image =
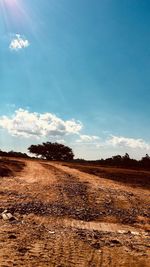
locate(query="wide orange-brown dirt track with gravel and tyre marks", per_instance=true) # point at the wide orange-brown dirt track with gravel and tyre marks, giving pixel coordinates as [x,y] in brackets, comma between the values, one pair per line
[68,218]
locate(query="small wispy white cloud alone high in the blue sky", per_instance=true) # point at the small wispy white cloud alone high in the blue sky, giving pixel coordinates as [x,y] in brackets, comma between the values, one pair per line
[18,42]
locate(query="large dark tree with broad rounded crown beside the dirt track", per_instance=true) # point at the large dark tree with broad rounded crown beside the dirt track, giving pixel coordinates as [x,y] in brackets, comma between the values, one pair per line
[52,151]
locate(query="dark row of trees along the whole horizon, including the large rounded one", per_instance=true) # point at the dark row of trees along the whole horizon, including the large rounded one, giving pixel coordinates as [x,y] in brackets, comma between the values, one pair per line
[60,152]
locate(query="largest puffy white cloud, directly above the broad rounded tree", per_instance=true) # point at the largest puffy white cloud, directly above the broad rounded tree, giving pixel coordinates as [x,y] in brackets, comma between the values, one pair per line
[27,124]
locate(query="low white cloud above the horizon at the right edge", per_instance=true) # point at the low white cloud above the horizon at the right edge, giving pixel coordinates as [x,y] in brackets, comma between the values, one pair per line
[128,142]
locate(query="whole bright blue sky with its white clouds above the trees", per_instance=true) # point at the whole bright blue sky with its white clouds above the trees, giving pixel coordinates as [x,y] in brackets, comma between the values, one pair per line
[76,72]
